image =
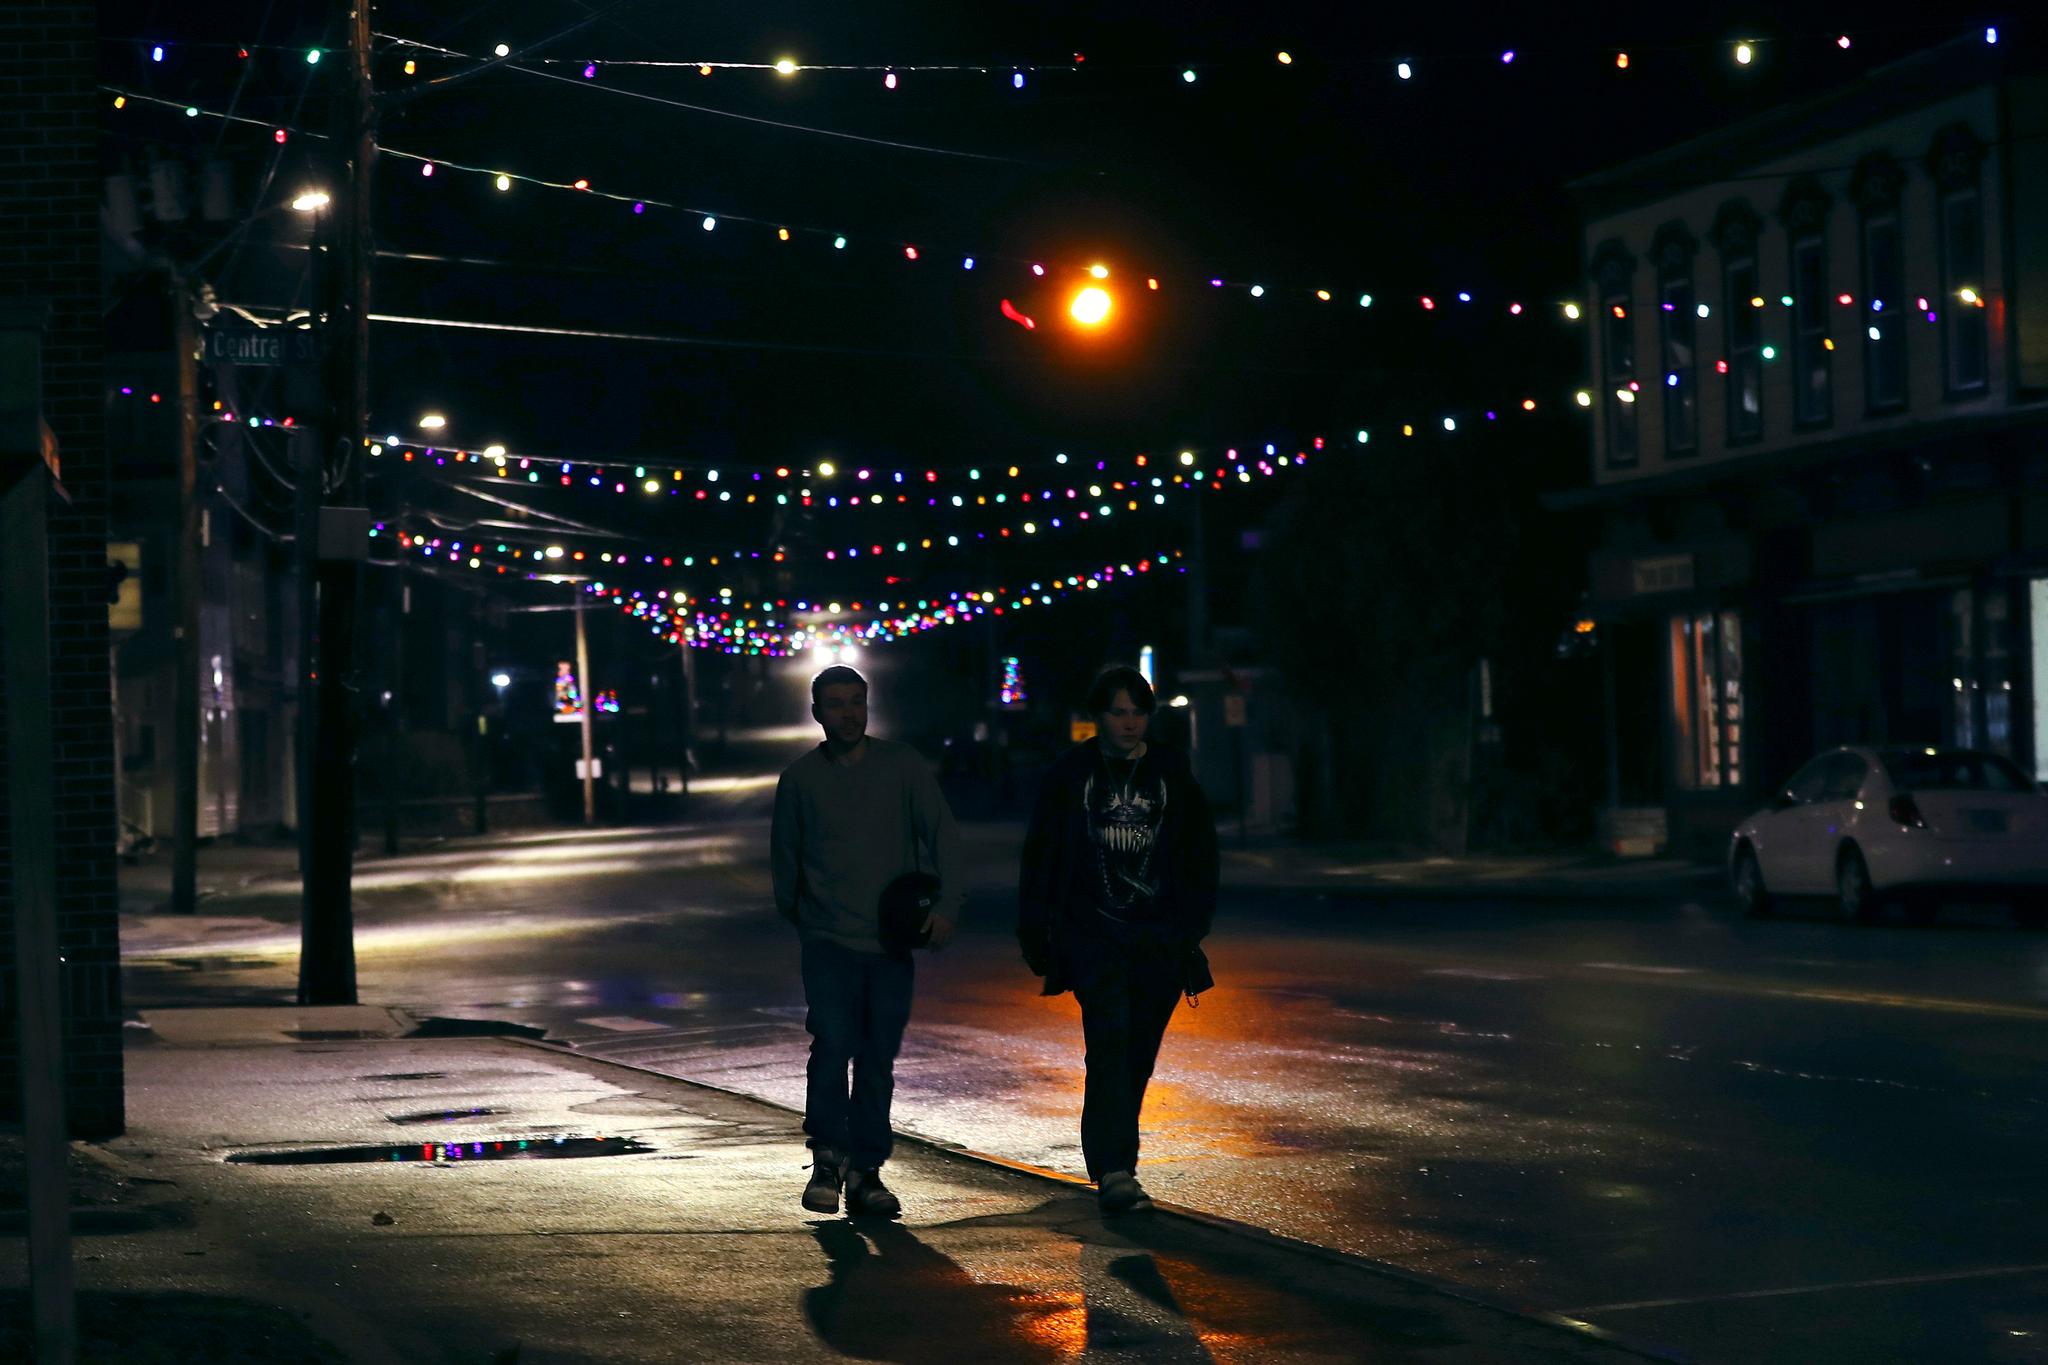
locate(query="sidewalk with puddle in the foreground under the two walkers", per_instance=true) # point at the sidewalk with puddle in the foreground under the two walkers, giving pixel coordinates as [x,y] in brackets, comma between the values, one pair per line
[679,1239]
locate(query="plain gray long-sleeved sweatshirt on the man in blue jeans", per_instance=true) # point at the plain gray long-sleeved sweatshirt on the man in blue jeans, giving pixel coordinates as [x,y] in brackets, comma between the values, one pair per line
[843,832]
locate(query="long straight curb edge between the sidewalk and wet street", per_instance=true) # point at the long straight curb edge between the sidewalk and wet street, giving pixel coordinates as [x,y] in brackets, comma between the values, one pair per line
[1478,1298]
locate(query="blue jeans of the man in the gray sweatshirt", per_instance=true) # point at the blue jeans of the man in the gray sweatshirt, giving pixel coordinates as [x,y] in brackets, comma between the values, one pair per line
[859,1008]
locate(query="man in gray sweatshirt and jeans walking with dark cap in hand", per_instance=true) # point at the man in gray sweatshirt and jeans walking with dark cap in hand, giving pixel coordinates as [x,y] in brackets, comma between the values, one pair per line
[851,818]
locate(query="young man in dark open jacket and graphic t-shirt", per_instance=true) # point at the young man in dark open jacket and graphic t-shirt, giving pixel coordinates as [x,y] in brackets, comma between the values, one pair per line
[1117,893]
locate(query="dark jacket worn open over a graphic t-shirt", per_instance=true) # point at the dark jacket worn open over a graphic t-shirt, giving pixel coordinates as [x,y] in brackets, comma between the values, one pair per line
[1054,893]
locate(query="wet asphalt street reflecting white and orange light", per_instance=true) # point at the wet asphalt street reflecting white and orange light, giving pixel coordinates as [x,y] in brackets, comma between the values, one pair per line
[1789,1141]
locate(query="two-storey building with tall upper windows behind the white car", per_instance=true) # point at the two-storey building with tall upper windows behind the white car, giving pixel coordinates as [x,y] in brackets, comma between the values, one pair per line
[1820,343]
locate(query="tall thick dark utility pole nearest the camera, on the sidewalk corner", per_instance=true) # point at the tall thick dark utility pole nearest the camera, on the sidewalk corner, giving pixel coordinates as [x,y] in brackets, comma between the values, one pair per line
[327,924]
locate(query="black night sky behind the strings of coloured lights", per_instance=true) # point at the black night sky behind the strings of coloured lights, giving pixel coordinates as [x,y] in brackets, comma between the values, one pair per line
[1322,173]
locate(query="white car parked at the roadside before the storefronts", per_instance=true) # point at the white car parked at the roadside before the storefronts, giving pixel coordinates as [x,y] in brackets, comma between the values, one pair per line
[1914,826]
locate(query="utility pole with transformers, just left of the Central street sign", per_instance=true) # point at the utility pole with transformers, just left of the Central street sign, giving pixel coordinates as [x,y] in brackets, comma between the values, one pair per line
[185,613]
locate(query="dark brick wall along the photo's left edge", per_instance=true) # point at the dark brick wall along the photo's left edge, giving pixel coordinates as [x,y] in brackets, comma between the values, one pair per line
[50,249]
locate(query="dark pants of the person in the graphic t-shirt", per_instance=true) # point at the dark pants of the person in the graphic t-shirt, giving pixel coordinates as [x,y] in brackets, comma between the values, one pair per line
[1127,981]
